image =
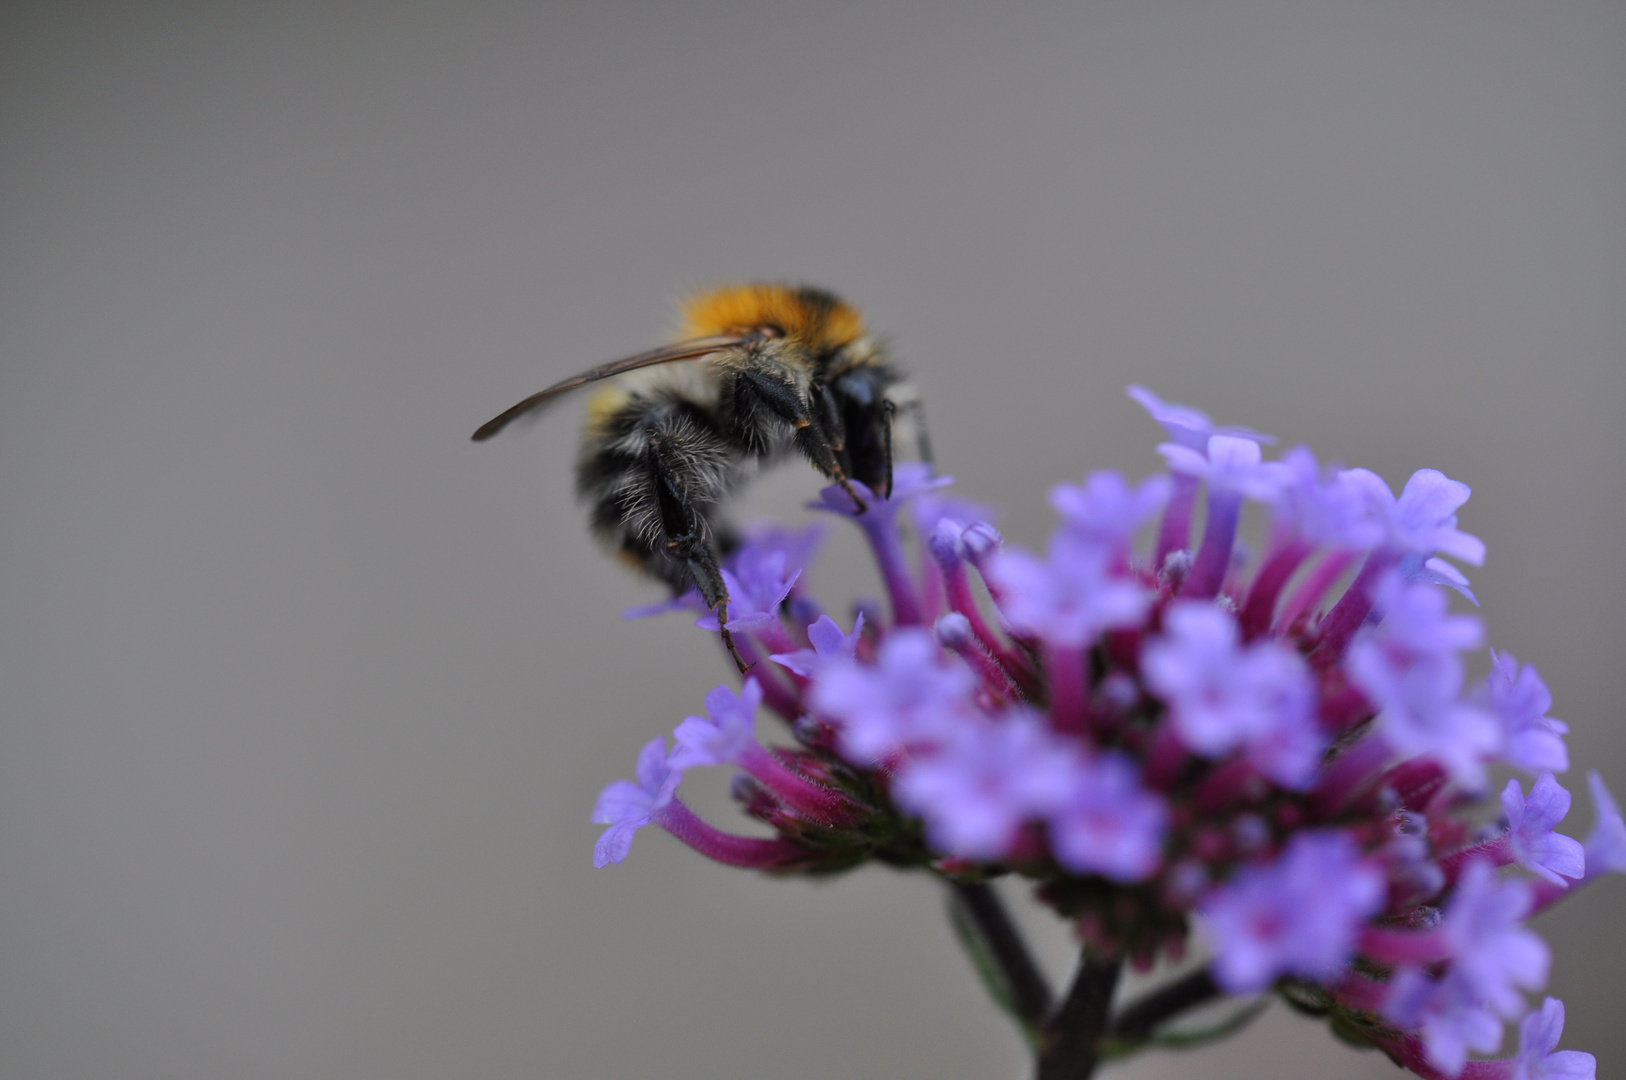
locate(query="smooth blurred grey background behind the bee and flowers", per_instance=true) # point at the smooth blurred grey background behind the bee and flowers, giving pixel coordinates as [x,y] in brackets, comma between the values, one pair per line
[307,699]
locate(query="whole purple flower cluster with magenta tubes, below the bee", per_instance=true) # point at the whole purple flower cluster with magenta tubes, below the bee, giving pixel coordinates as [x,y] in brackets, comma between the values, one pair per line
[1282,757]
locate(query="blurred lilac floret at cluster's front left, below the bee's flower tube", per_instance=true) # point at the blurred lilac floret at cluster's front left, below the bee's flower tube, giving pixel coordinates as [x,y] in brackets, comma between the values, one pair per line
[910,697]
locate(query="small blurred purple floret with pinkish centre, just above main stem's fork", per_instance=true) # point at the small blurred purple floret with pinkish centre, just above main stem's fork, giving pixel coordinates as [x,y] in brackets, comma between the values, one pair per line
[1110,824]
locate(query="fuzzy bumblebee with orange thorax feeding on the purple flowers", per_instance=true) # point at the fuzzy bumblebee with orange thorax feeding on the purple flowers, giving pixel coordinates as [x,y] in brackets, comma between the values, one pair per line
[760,373]
